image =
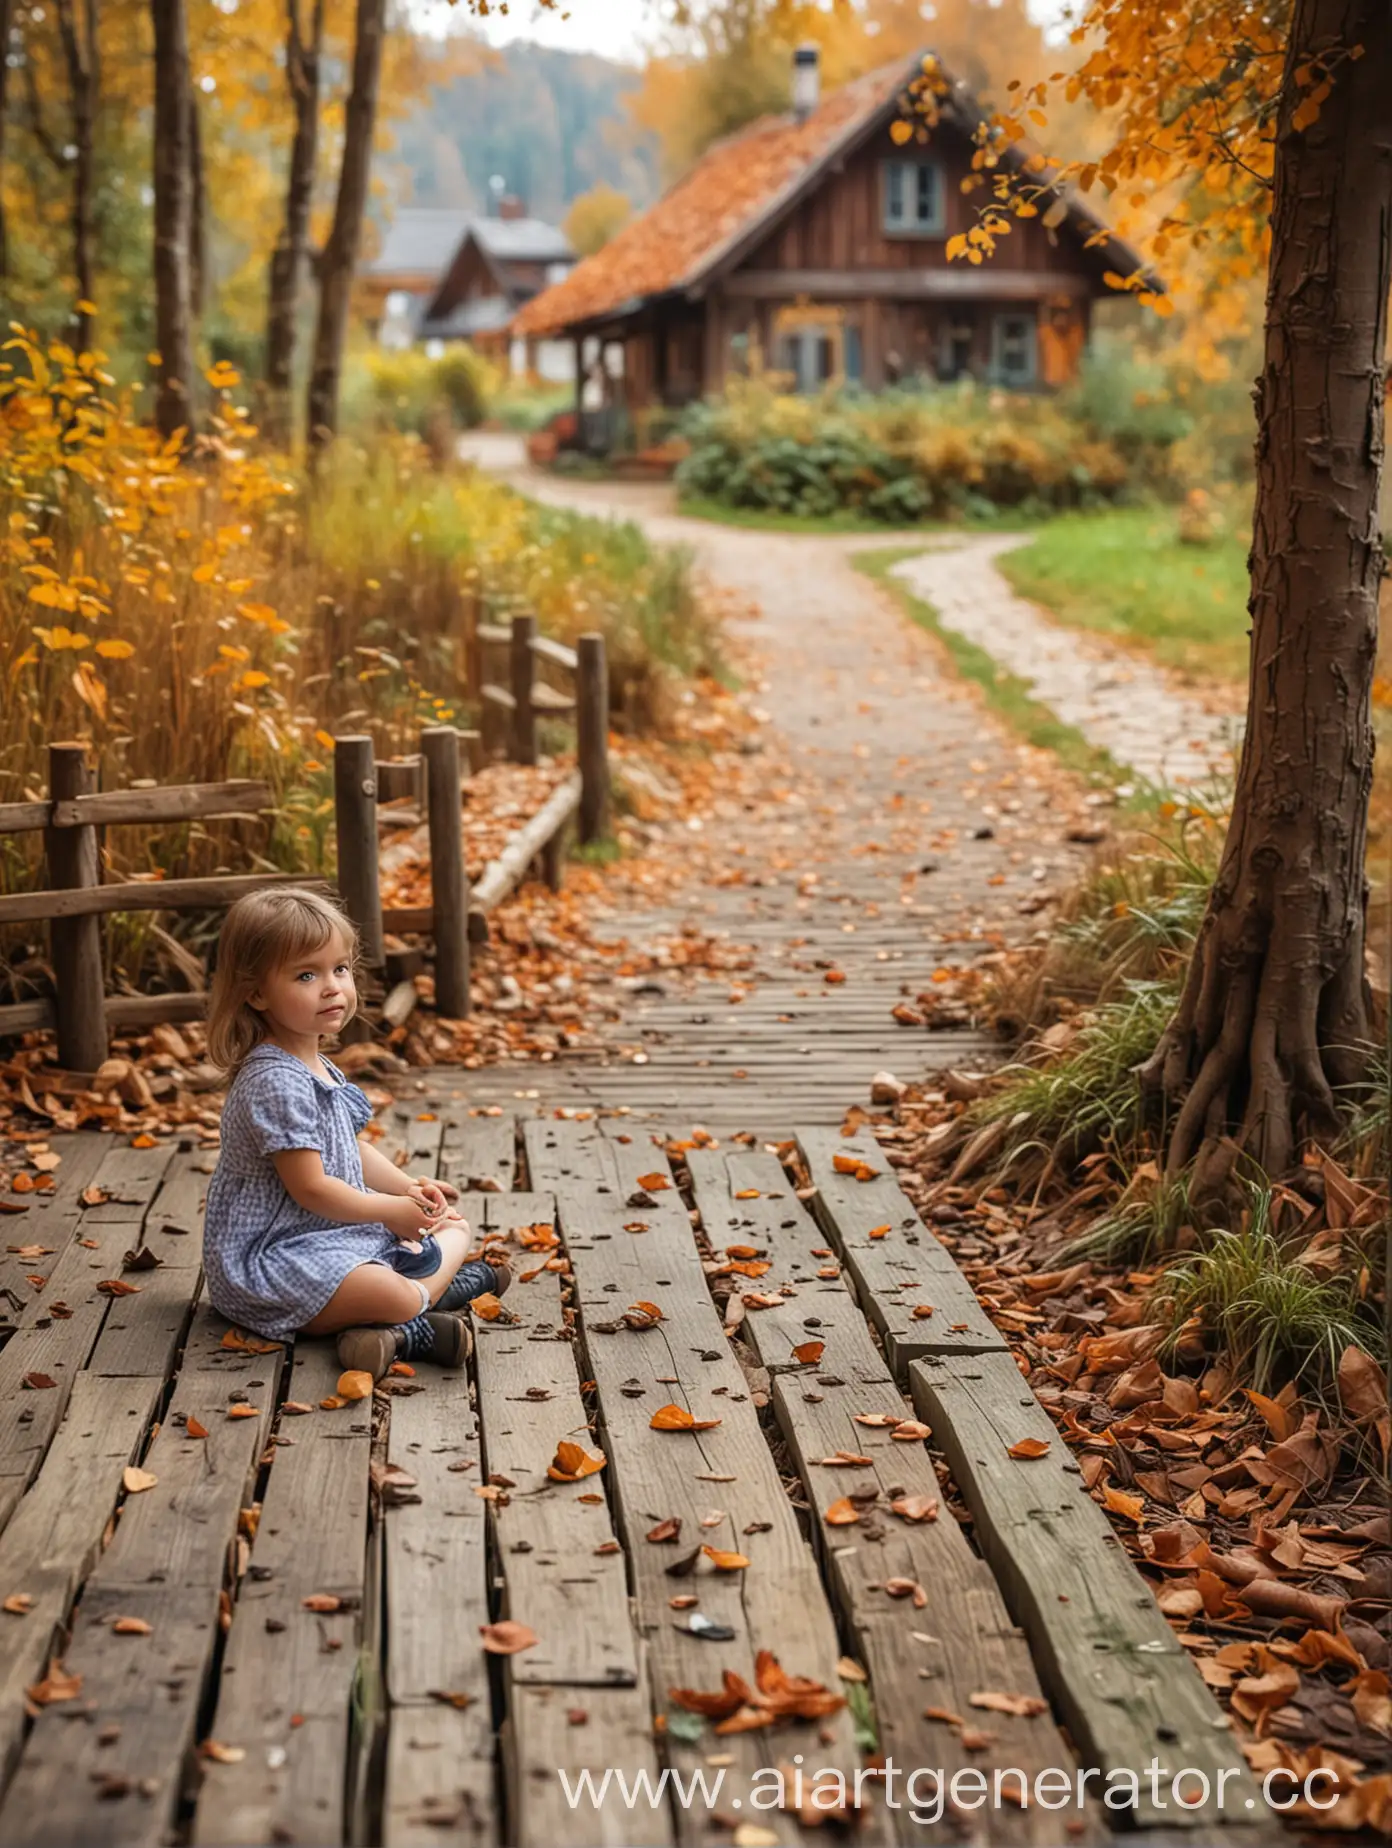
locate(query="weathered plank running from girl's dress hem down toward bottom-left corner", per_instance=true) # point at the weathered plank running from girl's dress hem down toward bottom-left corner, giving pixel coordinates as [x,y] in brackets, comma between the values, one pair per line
[121,1779]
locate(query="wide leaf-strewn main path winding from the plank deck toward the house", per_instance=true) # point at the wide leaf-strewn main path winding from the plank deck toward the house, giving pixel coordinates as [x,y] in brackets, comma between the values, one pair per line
[888,833]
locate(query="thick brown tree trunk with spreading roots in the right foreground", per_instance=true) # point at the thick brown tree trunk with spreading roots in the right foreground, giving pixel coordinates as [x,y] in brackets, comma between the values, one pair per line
[1275,1015]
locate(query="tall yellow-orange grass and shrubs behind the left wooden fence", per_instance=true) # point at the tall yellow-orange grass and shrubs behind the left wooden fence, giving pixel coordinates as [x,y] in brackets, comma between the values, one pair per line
[206,616]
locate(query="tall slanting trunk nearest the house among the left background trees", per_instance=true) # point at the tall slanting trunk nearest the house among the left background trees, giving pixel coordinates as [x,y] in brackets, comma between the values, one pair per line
[341,252]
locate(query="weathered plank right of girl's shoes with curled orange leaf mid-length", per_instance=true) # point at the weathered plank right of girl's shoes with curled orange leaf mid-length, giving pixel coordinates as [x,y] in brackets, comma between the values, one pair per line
[550,1537]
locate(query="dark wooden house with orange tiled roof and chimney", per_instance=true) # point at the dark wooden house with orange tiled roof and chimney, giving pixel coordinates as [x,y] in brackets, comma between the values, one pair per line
[816,243]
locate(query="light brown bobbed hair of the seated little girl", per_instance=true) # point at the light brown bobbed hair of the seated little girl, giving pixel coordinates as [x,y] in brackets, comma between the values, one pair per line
[262,934]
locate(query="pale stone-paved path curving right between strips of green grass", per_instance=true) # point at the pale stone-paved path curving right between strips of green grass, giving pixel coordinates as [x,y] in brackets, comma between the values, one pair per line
[1119,701]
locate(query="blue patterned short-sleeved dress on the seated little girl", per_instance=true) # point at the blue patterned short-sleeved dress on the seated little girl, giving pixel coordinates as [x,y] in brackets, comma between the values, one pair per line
[269,1263]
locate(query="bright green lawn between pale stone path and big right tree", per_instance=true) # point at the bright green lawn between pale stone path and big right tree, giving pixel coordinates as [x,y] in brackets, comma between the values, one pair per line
[1127,574]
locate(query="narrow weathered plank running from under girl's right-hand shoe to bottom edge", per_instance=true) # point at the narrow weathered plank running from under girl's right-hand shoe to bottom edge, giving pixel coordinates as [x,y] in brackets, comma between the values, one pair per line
[439,1768]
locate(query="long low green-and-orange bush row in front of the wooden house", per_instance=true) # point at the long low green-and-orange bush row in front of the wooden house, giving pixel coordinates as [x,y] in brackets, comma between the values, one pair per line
[909,456]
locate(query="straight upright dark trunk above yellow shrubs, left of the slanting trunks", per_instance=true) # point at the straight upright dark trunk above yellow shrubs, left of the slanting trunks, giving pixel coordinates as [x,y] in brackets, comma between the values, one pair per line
[175,407]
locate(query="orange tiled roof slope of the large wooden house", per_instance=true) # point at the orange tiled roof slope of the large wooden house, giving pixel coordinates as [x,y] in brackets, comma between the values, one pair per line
[727,191]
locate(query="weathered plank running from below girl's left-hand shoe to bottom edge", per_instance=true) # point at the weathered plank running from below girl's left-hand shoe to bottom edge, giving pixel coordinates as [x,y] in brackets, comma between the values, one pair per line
[287,1673]
